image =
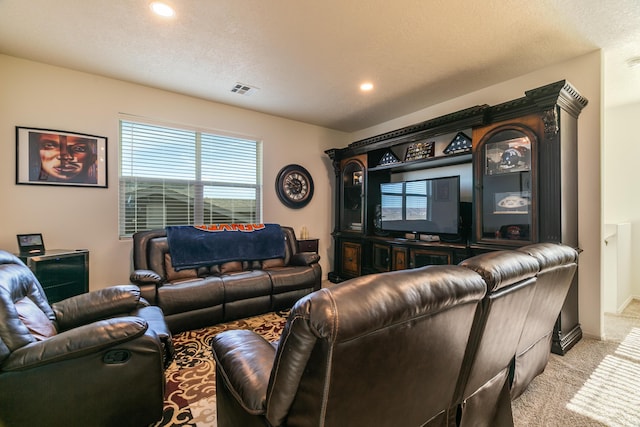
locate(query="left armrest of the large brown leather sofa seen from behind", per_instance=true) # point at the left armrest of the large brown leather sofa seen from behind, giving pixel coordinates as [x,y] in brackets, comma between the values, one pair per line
[245,360]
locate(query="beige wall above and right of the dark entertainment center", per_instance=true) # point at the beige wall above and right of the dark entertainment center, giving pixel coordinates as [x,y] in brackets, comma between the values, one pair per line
[585,74]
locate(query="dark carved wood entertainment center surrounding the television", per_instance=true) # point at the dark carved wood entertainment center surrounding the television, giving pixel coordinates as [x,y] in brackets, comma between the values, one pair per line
[519,185]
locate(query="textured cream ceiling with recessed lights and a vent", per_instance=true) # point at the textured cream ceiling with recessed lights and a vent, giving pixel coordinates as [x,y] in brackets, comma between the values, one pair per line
[307,59]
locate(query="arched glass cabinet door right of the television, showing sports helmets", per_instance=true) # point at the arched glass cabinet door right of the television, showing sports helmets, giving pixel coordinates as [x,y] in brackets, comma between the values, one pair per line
[506,192]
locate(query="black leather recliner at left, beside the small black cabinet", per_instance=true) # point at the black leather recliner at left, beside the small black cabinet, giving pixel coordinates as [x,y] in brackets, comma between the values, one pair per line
[96,359]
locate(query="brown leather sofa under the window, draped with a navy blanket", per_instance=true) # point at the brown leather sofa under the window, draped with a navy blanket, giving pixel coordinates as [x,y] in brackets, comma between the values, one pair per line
[205,296]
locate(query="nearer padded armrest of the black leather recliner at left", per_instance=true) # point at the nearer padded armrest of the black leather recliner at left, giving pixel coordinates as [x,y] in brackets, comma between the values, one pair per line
[76,342]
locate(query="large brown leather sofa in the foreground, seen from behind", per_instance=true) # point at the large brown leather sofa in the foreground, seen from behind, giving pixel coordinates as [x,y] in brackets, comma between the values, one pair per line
[429,346]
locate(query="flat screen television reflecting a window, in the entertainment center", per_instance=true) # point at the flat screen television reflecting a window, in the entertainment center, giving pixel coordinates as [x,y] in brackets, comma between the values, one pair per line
[425,206]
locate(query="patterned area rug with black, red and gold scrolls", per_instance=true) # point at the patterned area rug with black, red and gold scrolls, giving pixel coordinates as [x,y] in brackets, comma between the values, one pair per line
[190,395]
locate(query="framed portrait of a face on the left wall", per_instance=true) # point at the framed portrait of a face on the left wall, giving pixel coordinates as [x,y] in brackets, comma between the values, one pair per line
[53,157]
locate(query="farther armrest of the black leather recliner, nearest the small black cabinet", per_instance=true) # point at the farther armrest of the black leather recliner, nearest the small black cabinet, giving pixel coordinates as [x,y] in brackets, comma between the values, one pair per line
[96,305]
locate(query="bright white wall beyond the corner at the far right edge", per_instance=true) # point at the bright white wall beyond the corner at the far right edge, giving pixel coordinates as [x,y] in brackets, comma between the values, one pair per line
[620,201]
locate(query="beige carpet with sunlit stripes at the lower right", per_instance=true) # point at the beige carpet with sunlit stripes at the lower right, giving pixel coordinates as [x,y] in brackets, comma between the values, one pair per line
[597,383]
